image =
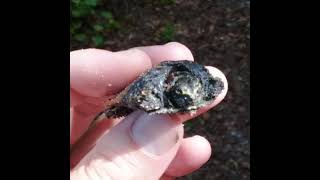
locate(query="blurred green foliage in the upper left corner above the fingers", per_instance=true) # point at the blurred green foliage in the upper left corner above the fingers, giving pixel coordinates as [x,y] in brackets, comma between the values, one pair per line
[90,23]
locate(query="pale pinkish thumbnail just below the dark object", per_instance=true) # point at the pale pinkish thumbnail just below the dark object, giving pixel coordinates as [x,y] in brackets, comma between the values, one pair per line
[155,134]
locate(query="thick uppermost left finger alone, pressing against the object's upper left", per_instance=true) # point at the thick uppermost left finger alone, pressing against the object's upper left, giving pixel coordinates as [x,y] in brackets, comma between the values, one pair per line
[98,73]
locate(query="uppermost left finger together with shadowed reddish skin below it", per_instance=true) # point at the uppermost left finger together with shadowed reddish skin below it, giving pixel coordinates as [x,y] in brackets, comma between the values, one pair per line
[96,74]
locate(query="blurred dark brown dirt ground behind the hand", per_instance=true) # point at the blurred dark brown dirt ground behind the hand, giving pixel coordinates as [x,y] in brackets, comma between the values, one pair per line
[218,34]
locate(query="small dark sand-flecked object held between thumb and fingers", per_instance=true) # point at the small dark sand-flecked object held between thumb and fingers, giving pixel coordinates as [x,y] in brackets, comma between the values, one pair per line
[170,87]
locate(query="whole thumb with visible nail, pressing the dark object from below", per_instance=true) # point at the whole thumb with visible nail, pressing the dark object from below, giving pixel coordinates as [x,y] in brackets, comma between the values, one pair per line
[140,147]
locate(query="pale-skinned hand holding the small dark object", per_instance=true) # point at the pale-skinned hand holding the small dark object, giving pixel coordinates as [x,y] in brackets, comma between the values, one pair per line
[112,150]
